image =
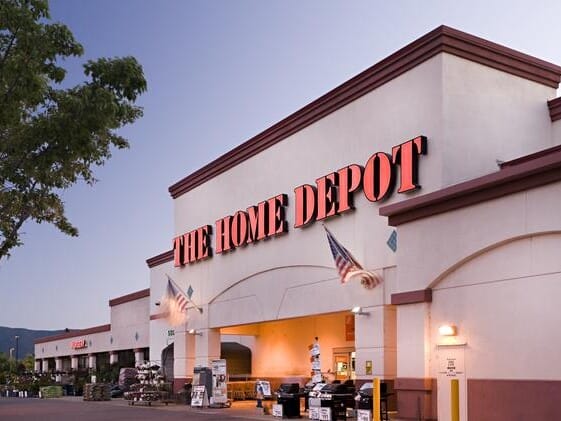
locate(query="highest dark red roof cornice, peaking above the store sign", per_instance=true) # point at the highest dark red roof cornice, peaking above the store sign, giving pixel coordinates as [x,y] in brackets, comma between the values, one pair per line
[442,39]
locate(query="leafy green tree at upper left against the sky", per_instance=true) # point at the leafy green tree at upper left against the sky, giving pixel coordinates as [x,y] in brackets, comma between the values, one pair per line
[52,137]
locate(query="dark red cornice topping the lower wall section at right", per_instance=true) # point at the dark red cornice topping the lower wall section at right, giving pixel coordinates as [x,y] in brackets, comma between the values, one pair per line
[511,179]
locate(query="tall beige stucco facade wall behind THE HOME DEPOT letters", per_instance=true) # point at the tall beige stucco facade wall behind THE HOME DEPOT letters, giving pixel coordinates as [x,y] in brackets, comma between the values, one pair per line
[472,116]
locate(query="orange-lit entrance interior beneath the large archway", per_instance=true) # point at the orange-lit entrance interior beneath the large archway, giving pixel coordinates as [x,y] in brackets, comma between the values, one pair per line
[279,349]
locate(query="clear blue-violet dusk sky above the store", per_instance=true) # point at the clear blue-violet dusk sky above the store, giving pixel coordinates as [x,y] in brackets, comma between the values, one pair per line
[219,72]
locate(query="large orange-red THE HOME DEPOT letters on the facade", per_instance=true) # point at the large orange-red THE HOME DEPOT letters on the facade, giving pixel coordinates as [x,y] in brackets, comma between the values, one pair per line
[331,195]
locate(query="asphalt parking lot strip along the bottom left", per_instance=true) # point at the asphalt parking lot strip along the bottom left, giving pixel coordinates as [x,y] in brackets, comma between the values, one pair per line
[74,408]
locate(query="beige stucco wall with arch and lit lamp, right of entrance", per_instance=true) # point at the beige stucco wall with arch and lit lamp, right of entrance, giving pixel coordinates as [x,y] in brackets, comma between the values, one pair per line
[495,273]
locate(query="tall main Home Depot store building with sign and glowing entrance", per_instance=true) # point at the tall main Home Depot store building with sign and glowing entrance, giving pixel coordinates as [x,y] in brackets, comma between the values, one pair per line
[452,142]
